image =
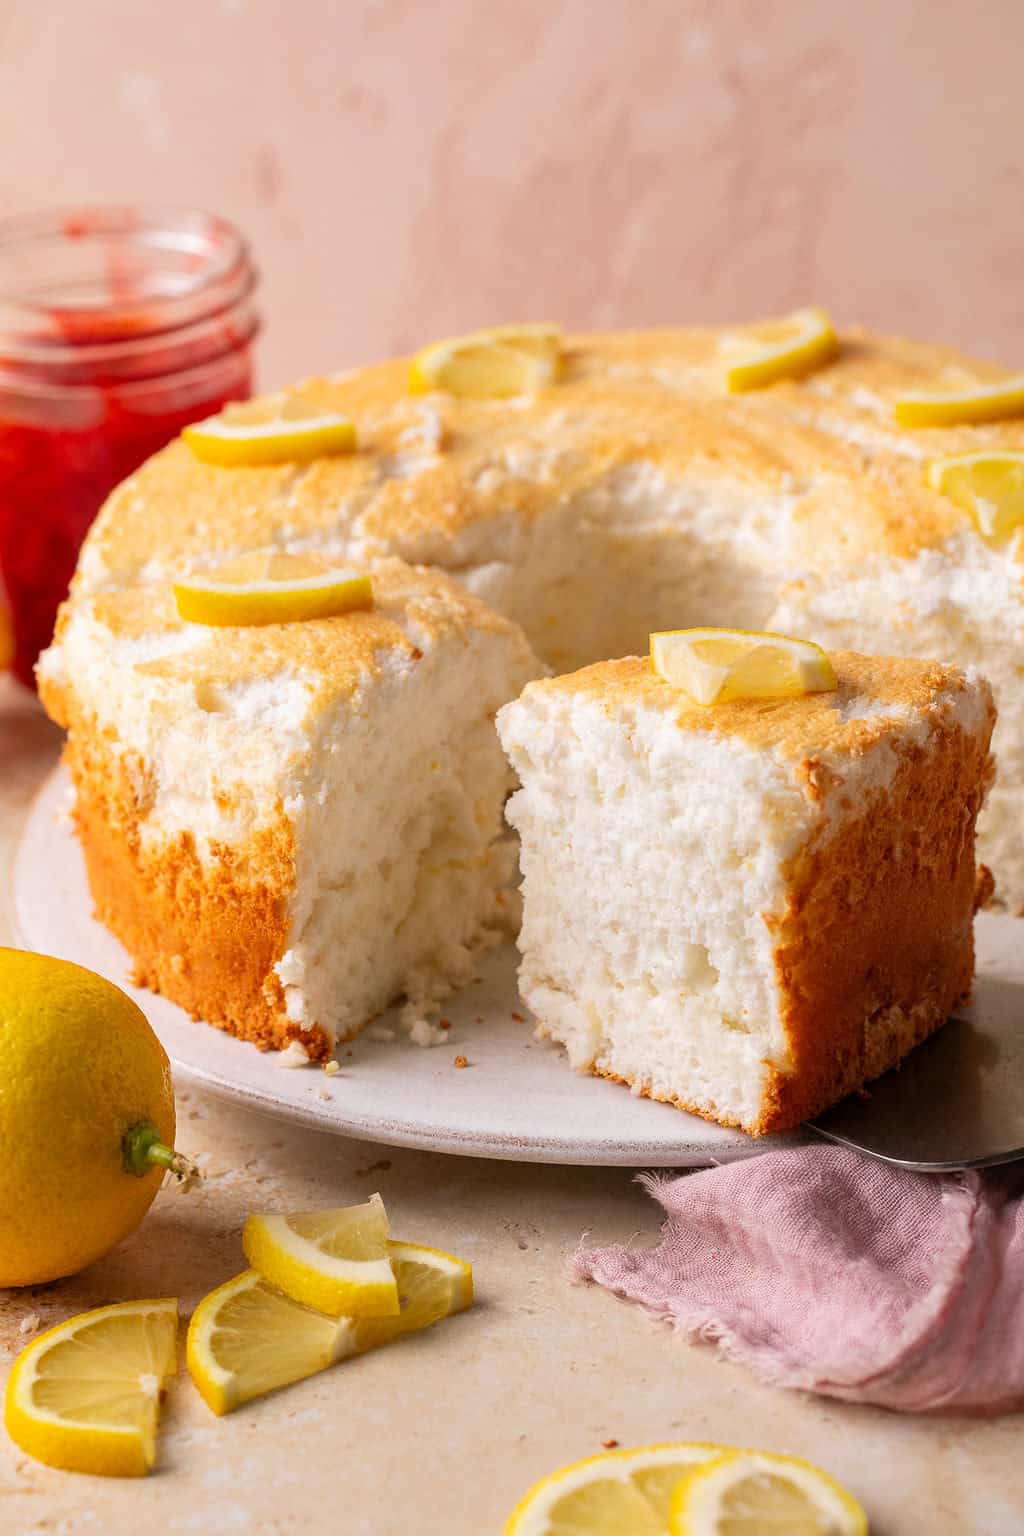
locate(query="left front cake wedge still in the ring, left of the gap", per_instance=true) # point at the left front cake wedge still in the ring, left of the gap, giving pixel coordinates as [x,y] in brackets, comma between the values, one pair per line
[294,826]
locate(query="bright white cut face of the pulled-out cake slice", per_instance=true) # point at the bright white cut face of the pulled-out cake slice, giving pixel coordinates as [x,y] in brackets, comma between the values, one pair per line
[646,952]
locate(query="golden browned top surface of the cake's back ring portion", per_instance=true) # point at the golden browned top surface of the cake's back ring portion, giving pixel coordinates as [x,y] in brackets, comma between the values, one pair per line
[432,469]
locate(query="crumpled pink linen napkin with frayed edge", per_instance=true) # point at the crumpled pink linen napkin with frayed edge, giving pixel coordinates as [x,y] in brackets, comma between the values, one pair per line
[828,1271]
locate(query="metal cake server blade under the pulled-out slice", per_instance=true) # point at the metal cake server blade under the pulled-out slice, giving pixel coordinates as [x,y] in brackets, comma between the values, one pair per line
[957,1102]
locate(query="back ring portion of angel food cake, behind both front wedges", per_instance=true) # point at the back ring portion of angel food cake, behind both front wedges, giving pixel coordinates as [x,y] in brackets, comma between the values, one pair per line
[630,489]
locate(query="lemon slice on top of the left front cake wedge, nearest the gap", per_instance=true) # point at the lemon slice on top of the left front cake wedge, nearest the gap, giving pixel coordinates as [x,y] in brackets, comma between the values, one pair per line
[271,589]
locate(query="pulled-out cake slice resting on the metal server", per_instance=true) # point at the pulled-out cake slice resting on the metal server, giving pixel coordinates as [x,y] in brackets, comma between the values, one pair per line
[755,909]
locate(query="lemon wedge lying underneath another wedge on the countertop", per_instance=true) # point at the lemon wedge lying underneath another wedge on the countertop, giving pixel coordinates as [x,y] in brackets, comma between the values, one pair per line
[246,1339]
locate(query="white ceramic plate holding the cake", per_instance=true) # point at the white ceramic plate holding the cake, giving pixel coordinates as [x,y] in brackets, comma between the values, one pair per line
[517,1101]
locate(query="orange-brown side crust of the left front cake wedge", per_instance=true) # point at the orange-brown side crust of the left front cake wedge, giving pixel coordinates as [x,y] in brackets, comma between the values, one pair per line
[205,936]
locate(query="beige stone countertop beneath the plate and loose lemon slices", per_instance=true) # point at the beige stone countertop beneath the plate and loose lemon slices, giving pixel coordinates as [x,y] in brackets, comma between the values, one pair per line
[441,1434]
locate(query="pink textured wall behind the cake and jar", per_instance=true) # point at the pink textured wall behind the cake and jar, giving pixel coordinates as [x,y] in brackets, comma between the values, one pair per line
[406,168]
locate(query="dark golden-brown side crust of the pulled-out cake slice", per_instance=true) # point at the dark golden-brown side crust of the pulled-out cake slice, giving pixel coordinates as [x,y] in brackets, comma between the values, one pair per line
[876,947]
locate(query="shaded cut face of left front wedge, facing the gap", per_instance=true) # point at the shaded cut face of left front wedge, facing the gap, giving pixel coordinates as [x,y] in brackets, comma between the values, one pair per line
[401,852]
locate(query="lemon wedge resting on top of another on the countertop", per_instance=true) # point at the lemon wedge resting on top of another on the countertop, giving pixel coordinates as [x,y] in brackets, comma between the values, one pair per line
[335,1262]
